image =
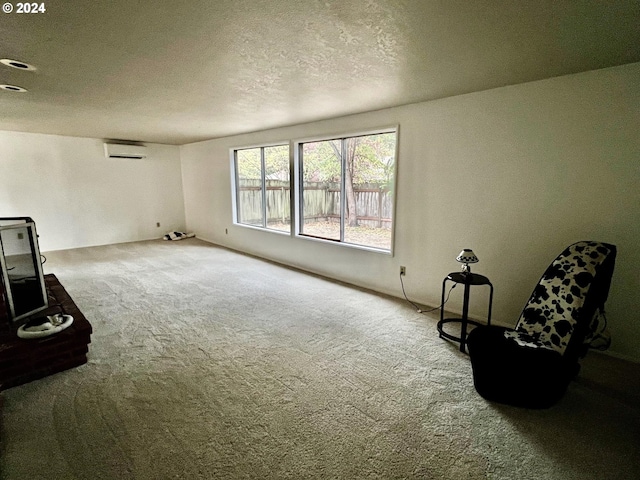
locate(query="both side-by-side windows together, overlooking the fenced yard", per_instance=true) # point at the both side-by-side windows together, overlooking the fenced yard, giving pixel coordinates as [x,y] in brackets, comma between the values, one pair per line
[344,189]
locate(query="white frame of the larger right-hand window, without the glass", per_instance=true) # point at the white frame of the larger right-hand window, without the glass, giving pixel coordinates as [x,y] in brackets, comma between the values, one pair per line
[298,211]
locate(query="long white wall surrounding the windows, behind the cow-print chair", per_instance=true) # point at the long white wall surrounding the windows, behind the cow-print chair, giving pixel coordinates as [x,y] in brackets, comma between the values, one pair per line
[516,173]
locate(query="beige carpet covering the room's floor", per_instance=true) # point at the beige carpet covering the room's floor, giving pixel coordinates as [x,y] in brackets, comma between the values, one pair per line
[208,364]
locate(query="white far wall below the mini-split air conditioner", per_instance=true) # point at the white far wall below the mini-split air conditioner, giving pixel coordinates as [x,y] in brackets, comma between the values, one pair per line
[79,198]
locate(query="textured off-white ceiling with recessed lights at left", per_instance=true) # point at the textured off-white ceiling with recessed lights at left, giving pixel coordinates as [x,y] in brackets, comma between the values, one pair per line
[179,71]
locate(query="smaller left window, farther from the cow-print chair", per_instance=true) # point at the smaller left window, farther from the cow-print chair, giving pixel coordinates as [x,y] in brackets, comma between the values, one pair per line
[262,187]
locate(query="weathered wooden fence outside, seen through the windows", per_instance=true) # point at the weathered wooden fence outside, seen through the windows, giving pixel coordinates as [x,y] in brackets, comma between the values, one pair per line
[374,203]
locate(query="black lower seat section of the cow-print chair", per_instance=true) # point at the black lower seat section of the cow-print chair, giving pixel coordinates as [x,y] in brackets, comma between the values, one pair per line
[507,373]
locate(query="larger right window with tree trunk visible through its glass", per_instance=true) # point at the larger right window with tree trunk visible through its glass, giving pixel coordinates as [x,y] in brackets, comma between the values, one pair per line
[345,189]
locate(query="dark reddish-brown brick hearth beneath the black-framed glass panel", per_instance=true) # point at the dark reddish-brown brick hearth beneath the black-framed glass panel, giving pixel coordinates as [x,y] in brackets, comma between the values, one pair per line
[24,360]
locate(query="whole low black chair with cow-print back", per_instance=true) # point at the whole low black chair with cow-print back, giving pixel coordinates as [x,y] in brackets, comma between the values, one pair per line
[532,365]
